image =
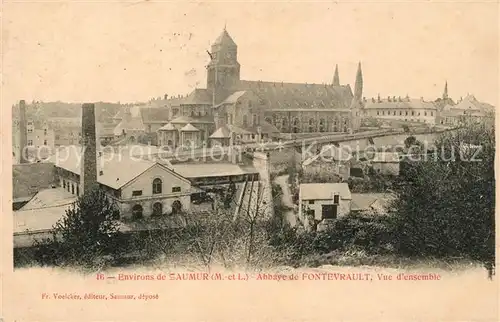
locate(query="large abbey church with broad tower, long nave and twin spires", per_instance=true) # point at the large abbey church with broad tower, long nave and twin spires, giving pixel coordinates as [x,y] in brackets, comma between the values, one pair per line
[258,109]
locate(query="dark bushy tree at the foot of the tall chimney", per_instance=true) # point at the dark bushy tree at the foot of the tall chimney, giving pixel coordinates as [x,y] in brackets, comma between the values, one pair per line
[87,233]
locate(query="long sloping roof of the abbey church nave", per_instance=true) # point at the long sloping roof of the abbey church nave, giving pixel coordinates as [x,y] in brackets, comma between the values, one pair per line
[277,95]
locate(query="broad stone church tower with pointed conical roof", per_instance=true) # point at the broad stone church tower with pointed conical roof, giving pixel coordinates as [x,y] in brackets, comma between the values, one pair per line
[223,71]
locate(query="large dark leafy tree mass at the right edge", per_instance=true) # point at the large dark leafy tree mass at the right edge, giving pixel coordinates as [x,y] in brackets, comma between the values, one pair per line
[448,207]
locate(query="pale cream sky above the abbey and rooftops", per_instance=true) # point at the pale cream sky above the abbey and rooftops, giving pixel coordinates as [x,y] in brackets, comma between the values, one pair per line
[133,51]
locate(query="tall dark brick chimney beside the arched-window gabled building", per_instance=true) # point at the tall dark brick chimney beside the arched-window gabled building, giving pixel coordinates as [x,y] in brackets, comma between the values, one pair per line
[88,172]
